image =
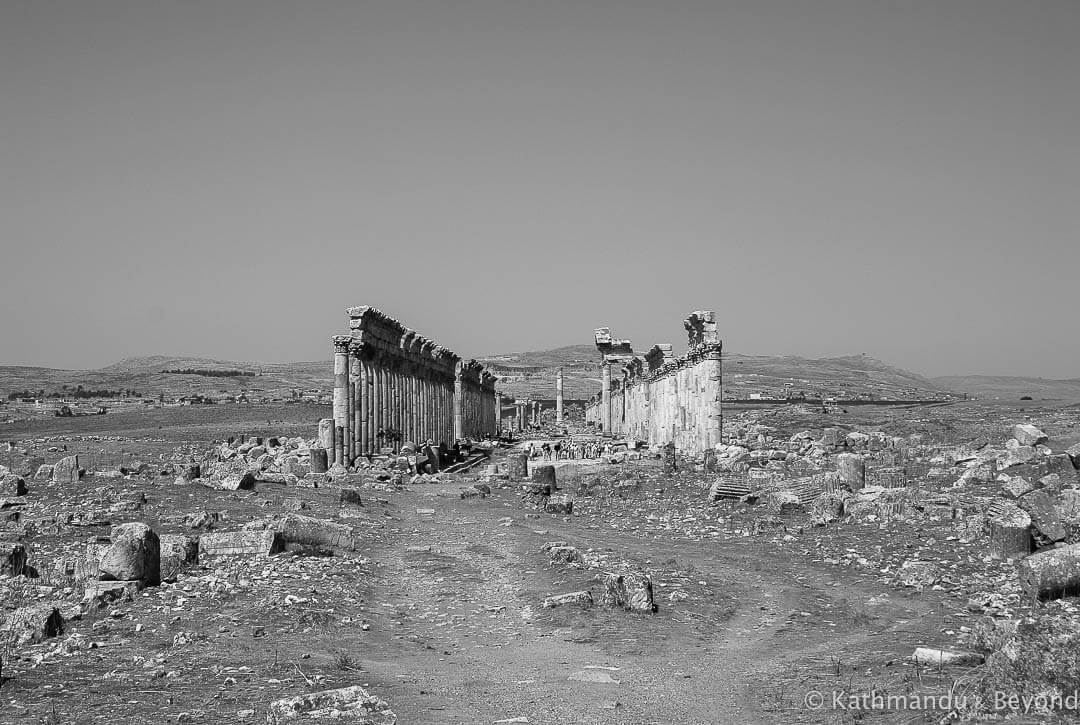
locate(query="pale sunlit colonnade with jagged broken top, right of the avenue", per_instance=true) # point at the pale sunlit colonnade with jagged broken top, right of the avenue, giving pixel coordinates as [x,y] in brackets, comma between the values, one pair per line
[660,398]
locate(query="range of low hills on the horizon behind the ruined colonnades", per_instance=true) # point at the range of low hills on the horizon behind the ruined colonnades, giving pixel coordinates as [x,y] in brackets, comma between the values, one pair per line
[532,374]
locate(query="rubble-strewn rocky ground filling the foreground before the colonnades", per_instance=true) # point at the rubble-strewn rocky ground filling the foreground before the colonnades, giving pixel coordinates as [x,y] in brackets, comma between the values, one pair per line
[849,543]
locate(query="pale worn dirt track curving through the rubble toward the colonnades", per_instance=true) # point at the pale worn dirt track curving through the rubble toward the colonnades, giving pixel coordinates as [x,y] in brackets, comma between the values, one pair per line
[462,637]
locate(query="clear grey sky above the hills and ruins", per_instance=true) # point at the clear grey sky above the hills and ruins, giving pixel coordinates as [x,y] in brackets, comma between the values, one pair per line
[223,178]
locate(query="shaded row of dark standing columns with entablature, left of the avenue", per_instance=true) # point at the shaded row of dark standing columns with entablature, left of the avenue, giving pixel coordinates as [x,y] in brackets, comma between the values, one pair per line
[390,383]
